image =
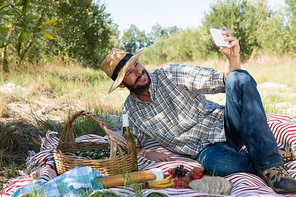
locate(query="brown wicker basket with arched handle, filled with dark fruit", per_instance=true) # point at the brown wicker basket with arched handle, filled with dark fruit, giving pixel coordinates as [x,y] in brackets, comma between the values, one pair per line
[65,160]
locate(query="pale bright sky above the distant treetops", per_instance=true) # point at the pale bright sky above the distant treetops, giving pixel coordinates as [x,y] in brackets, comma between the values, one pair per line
[167,13]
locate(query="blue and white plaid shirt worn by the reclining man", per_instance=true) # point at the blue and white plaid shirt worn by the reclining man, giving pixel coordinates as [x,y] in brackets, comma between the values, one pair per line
[179,115]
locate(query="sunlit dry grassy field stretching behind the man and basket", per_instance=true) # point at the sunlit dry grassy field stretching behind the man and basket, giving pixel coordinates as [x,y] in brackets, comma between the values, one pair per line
[44,98]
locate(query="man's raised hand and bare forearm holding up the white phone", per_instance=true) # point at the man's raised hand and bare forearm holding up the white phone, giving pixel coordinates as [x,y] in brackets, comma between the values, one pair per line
[231,52]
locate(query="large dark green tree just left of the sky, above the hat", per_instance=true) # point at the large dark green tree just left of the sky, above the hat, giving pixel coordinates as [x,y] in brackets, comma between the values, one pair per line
[86,32]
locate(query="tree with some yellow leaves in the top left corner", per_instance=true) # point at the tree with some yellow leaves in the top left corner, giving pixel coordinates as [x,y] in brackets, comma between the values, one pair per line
[22,23]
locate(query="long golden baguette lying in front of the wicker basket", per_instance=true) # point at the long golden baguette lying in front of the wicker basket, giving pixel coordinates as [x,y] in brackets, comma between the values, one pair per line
[126,179]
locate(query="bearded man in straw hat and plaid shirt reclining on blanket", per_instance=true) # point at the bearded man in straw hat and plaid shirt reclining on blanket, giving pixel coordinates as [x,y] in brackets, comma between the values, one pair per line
[169,106]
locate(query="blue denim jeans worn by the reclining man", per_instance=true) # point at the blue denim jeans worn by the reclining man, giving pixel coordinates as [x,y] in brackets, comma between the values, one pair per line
[245,123]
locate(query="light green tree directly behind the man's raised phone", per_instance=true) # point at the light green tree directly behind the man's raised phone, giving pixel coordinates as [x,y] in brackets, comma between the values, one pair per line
[242,17]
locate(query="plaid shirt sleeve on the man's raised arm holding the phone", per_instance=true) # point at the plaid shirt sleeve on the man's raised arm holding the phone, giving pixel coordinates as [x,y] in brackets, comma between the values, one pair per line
[196,78]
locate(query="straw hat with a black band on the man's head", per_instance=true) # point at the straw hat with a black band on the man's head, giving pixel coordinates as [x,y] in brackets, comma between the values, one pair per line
[116,63]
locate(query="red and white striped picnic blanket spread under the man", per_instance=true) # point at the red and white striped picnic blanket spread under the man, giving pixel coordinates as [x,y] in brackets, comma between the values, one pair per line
[41,167]
